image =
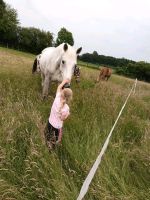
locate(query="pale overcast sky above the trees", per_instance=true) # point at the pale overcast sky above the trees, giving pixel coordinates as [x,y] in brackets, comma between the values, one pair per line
[118,28]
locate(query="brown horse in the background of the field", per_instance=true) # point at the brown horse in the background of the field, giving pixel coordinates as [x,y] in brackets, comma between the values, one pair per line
[104,74]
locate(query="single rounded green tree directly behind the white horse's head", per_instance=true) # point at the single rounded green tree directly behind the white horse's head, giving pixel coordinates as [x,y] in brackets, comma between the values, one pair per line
[64,36]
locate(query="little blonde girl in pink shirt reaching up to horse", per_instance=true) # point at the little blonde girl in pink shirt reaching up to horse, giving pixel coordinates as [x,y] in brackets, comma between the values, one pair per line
[59,112]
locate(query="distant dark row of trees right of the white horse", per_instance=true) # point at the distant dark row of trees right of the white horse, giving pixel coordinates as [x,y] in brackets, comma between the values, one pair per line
[122,66]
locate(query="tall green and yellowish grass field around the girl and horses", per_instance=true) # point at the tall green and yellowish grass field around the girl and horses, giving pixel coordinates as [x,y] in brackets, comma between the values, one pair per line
[29,172]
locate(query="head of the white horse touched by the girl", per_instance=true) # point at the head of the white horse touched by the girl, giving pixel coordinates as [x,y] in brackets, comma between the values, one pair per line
[68,61]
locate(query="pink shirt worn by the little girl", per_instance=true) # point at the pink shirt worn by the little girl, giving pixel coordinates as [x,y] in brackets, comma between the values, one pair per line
[56,113]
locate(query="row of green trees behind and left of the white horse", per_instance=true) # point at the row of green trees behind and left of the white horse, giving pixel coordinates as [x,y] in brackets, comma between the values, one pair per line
[28,39]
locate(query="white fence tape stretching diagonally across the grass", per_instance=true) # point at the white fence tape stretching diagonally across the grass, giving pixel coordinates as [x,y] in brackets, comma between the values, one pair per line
[91,174]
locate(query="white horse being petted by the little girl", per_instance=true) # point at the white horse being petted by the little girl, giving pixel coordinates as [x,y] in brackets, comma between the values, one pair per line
[56,64]
